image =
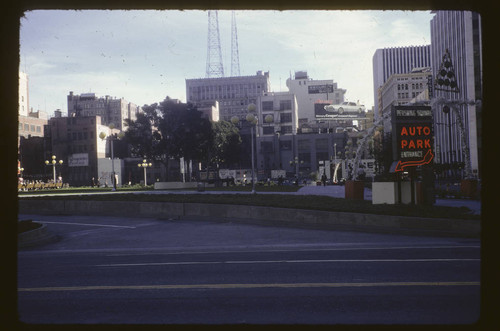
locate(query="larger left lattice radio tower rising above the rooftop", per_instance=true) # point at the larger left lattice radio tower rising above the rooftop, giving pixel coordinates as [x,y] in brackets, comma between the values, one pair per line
[214,54]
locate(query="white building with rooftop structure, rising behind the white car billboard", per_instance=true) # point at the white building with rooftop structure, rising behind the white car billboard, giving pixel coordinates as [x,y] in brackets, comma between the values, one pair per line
[309,91]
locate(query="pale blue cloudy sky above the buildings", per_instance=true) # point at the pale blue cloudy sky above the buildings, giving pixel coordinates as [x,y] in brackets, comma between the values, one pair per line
[145,55]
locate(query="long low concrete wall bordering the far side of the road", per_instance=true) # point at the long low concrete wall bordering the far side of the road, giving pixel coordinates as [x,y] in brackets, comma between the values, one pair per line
[262,215]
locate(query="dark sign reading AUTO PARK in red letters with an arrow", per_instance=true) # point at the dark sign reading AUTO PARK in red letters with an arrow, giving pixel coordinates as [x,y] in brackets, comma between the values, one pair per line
[412,136]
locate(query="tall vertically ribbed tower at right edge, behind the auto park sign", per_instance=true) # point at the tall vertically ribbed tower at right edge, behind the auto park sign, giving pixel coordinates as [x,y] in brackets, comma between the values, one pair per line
[459,33]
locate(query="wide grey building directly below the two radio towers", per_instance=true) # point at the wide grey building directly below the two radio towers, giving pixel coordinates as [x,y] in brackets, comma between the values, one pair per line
[234,94]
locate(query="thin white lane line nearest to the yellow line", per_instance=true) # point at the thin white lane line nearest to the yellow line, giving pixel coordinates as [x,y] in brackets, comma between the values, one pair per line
[278,261]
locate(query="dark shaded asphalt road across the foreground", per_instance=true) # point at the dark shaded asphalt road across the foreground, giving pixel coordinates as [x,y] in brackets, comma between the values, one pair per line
[165,271]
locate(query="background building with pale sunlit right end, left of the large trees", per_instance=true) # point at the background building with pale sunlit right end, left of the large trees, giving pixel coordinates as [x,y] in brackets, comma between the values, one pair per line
[111,110]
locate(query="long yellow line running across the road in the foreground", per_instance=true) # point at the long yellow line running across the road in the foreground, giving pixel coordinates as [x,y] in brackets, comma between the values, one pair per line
[239,286]
